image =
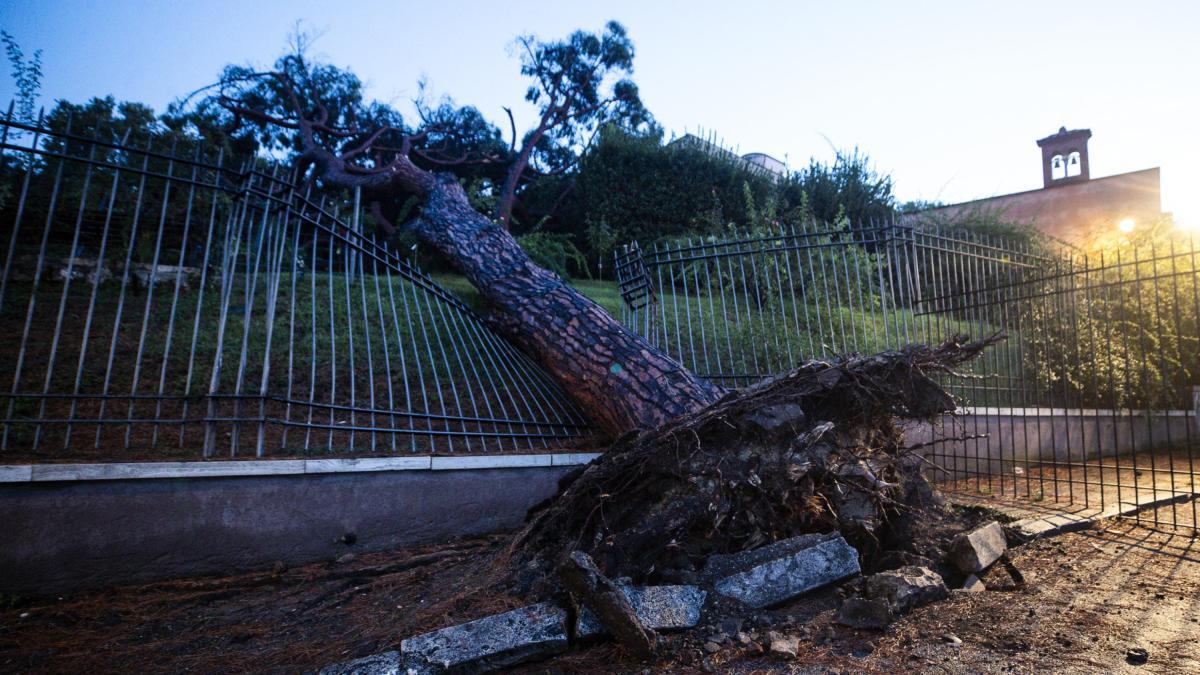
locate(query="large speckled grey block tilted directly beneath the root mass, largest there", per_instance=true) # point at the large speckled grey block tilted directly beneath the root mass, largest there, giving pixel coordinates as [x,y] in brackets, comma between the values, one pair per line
[782,571]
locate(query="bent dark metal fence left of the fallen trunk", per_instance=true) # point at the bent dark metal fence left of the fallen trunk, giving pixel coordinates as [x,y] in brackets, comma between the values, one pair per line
[158,303]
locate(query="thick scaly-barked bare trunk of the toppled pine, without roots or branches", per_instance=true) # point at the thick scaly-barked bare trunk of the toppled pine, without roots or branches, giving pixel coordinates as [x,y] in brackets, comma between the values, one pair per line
[620,380]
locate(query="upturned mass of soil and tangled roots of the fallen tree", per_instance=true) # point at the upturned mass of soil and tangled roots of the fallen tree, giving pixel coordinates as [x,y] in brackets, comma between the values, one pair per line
[814,451]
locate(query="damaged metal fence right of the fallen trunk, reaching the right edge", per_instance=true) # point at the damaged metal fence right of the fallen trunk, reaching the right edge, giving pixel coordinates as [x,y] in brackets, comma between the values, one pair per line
[1093,401]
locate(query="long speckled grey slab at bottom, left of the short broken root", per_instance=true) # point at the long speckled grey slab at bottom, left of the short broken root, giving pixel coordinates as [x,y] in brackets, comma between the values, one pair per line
[488,644]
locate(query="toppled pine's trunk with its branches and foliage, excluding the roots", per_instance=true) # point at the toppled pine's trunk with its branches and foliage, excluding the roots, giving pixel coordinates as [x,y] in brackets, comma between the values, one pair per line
[620,380]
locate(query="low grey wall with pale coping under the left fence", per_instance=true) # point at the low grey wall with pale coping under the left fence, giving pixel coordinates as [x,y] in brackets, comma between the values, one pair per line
[75,527]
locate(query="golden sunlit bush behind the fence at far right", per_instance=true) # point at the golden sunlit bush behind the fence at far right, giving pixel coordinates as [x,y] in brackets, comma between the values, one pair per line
[1121,330]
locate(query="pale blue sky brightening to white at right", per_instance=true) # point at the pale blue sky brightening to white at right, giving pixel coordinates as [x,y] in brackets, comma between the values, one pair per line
[949,97]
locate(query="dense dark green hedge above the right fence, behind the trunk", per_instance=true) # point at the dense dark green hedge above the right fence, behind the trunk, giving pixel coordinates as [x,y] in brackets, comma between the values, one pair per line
[649,190]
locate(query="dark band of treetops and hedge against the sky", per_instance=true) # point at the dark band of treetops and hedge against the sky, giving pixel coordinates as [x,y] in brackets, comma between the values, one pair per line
[593,171]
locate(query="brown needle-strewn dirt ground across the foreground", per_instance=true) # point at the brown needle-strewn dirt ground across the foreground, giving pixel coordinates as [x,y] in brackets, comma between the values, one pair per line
[1091,596]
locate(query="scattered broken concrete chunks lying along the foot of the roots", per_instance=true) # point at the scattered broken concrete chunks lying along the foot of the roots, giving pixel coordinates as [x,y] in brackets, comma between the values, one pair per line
[758,578]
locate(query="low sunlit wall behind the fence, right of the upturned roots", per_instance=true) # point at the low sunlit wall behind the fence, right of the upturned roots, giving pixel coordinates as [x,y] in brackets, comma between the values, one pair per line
[1033,435]
